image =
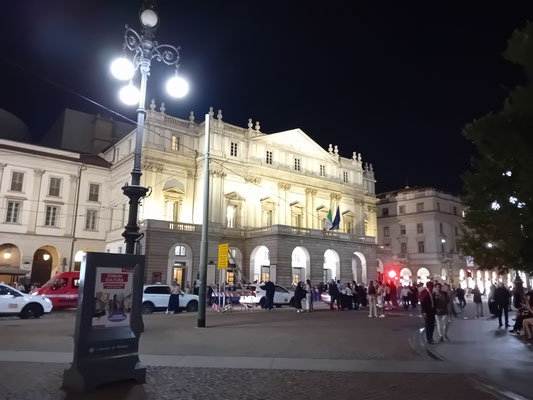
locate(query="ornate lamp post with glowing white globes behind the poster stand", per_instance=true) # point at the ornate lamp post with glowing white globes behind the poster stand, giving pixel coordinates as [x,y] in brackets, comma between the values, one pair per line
[144,49]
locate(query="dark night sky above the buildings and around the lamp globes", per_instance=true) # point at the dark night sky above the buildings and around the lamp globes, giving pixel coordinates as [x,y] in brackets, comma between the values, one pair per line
[394,82]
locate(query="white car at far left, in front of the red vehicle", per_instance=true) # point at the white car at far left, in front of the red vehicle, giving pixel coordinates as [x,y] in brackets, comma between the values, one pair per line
[16,303]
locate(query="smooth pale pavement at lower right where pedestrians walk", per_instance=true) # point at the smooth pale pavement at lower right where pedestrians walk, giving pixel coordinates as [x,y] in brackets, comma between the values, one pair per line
[502,359]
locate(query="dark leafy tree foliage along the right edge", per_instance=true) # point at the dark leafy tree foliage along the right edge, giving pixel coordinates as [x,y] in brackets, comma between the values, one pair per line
[502,172]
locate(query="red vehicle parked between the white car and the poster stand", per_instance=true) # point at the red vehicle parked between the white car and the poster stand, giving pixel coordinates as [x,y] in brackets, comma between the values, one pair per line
[62,289]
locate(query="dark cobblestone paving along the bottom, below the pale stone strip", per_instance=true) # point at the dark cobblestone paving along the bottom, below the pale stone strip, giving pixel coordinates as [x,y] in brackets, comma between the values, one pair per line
[33,381]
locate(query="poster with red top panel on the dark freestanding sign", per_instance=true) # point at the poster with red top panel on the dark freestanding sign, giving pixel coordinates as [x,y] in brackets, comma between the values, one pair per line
[112,297]
